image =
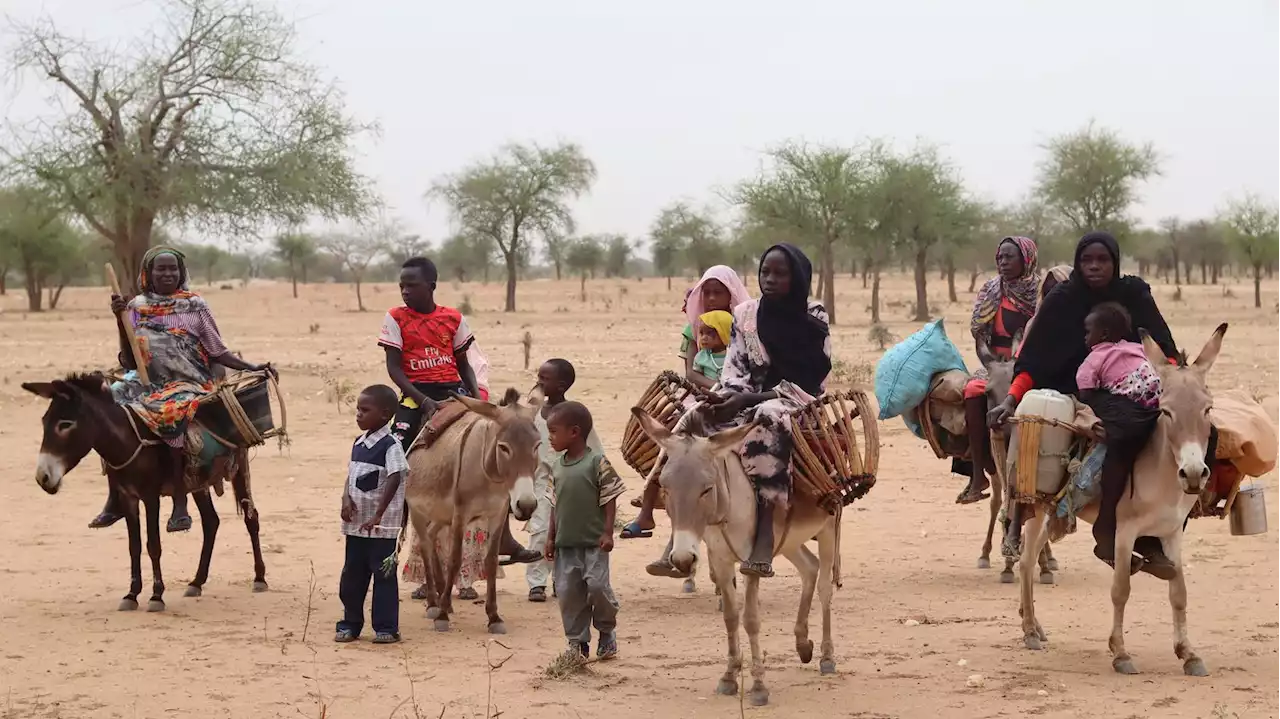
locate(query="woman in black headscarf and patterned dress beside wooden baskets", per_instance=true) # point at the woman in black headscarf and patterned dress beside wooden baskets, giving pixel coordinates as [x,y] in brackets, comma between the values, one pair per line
[778,361]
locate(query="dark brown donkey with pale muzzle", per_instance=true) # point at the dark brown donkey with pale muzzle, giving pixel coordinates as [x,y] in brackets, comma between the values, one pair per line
[84,416]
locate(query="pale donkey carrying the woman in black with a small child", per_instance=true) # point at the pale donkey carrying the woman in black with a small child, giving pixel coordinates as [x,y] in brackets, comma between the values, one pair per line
[1168,478]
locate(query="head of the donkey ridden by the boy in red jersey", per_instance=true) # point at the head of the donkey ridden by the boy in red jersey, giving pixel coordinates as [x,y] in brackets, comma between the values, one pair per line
[515,450]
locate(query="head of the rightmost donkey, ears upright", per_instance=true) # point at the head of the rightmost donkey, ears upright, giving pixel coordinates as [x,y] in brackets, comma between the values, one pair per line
[1185,409]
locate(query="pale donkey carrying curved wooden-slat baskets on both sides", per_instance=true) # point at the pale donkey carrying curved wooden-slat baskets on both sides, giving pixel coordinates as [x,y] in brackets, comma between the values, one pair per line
[707,489]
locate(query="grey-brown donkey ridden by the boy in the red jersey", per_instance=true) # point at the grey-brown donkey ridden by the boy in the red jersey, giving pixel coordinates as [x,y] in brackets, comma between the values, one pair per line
[476,471]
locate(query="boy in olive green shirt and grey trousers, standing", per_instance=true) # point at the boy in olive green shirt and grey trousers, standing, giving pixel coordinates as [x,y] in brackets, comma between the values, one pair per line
[584,507]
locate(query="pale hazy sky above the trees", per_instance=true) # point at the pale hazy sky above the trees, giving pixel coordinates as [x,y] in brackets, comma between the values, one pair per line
[673,100]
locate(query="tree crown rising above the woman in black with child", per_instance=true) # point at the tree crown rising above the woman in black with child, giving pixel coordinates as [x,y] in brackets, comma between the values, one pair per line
[1091,177]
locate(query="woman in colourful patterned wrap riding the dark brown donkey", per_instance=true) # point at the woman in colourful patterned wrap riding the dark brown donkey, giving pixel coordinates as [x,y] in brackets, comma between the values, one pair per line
[181,344]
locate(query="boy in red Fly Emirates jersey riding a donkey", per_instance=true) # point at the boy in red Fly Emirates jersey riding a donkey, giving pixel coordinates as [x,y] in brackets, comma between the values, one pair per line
[427,358]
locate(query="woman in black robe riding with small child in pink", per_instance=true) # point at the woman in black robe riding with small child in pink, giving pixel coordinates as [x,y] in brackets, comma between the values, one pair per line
[1055,349]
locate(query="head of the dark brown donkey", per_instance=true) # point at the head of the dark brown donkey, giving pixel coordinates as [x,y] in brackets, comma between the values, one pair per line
[72,427]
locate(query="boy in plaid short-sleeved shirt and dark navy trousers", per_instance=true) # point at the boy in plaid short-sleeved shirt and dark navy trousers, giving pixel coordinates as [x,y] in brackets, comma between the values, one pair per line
[373,512]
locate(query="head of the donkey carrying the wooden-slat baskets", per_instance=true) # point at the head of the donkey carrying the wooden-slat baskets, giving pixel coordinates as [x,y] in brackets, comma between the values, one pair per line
[694,479]
